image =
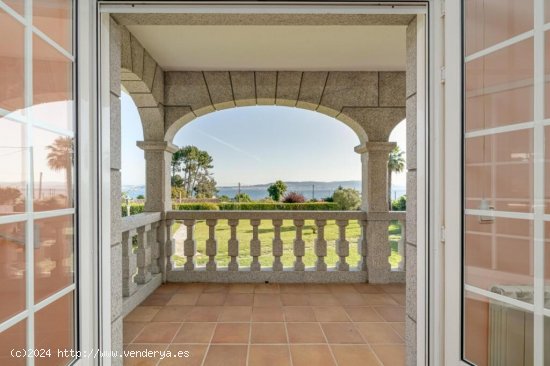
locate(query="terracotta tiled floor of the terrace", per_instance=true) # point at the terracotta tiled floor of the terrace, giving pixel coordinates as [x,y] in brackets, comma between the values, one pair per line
[270,324]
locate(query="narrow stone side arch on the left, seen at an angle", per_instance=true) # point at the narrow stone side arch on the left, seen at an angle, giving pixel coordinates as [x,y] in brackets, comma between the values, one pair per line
[143,79]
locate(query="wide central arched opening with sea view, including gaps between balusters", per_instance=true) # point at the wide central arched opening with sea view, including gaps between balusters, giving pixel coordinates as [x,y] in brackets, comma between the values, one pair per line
[251,148]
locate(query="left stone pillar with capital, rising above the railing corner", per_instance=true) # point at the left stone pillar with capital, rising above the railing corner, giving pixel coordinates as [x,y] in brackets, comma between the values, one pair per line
[158,156]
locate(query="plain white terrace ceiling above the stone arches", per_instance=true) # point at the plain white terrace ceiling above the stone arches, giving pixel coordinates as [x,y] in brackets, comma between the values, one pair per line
[288,47]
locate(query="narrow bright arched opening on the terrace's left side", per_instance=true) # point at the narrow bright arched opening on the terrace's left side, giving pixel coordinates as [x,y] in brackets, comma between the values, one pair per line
[132,163]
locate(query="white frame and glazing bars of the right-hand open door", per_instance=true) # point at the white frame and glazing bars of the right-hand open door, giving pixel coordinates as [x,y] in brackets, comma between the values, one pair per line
[453,184]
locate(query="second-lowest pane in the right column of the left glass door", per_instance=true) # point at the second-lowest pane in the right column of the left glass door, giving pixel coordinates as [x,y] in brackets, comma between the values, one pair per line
[53,255]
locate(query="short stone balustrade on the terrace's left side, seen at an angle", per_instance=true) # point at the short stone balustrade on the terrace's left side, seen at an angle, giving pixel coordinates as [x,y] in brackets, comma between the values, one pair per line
[141,254]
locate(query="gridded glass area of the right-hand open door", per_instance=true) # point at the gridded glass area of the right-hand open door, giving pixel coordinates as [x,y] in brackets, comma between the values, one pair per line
[506,192]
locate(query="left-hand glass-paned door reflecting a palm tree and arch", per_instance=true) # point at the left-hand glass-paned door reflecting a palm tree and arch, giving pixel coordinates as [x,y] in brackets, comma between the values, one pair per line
[37,192]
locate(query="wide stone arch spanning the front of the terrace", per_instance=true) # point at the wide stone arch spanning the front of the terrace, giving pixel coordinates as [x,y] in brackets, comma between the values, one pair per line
[370,103]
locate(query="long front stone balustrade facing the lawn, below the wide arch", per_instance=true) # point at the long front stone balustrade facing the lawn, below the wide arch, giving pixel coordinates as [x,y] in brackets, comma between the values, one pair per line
[343,271]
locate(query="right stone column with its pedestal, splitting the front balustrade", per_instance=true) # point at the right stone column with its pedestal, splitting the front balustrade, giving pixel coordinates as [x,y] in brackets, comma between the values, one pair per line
[375,155]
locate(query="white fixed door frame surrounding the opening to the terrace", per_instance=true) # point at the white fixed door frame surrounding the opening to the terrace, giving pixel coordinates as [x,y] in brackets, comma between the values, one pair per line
[429,125]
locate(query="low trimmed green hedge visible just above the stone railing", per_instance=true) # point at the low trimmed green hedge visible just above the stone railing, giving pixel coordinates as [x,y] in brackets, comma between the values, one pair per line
[243,206]
